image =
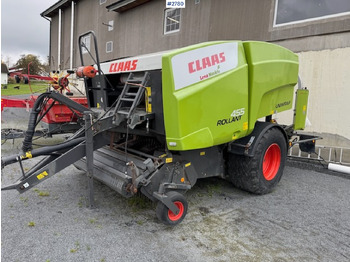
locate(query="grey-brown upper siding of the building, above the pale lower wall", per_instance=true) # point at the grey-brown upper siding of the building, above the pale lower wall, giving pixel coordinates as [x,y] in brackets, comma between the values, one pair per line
[140,30]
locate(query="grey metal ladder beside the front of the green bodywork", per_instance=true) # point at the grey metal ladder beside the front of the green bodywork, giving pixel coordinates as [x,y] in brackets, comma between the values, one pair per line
[131,95]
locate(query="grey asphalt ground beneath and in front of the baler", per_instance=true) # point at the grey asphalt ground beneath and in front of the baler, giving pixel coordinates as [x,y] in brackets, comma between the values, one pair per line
[306,218]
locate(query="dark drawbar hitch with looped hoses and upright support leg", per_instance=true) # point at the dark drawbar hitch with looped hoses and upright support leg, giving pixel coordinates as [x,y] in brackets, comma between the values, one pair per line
[58,156]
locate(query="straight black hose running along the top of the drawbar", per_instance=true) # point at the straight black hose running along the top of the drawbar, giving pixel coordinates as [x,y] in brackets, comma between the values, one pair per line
[47,150]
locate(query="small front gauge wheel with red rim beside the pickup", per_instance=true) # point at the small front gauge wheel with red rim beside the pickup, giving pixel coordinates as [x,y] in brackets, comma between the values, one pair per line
[166,216]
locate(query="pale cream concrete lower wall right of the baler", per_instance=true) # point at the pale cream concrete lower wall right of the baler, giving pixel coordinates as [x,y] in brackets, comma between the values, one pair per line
[326,74]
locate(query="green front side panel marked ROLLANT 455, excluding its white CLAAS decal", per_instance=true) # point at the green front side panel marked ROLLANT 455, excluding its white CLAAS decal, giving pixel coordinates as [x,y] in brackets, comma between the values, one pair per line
[191,114]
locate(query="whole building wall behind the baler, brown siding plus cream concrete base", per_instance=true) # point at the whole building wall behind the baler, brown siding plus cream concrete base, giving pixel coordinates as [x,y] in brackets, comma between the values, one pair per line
[322,45]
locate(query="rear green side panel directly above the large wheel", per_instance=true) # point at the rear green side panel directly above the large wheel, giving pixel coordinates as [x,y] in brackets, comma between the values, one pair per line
[273,73]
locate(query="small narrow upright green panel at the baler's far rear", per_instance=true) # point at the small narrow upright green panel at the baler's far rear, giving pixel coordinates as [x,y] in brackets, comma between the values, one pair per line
[302,97]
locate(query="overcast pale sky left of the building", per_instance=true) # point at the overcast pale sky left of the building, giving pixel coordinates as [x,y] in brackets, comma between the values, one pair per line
[23,30]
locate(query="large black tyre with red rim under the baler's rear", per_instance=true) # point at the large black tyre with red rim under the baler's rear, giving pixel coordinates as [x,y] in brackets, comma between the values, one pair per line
[262,172]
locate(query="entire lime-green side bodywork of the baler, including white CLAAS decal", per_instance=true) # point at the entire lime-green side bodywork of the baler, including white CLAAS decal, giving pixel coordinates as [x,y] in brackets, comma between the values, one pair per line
[223,105]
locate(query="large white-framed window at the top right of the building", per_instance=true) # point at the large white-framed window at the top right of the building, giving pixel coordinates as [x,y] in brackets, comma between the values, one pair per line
[298,11]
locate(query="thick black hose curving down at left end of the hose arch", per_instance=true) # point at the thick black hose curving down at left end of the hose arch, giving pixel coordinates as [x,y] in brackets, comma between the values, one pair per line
[28,135]
